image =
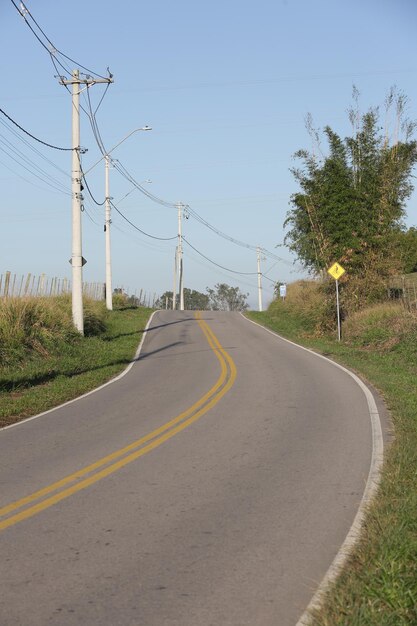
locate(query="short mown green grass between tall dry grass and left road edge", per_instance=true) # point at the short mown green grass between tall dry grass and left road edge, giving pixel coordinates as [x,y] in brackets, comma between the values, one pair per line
[70,365]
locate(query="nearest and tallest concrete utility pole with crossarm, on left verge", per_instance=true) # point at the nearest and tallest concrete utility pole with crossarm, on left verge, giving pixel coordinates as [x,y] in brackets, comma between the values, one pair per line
[77,260]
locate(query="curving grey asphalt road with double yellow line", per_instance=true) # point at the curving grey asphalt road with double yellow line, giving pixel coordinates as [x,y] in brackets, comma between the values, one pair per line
[212,485]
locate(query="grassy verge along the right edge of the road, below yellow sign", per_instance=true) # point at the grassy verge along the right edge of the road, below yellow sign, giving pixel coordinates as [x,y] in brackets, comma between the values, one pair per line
[379,584]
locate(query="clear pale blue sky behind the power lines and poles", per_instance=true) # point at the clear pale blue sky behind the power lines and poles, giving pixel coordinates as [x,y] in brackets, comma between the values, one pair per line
[225,86]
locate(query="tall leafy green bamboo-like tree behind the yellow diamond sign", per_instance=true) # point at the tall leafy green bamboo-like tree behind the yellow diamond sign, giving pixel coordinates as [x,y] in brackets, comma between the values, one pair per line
[351,204]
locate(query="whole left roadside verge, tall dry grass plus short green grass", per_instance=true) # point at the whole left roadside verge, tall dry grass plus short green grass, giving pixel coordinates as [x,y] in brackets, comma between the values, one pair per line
[44,362]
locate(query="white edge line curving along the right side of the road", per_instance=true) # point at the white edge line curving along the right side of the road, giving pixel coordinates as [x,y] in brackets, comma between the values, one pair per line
[374,477]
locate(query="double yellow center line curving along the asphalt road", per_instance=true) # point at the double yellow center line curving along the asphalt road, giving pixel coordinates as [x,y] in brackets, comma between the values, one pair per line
[52,494]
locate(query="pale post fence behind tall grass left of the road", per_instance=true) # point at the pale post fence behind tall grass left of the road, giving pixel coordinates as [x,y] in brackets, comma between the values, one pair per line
[20,285]
